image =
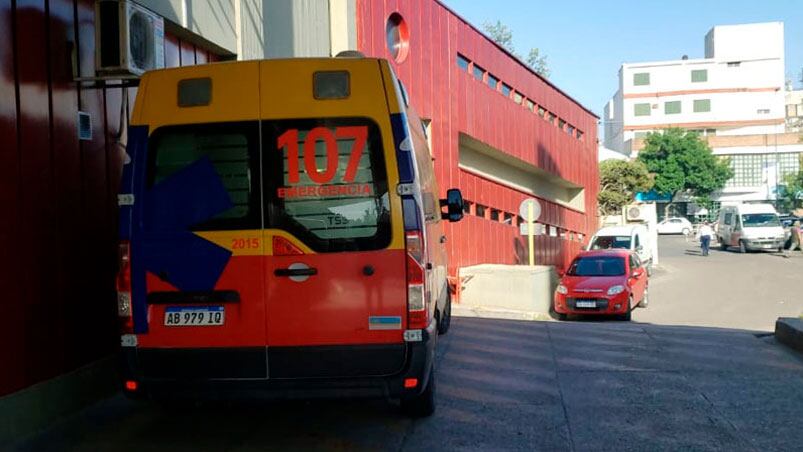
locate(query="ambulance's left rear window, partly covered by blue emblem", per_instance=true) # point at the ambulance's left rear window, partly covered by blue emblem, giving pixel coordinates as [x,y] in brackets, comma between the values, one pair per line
[205,158]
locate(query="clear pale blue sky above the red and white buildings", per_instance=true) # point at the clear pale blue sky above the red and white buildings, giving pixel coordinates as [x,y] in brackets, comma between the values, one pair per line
[586,41]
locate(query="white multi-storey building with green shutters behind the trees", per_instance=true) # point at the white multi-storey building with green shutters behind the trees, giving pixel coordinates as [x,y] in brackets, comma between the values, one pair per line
[734,97]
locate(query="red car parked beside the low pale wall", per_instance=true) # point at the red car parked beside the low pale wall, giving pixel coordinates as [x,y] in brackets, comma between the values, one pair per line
[610,282]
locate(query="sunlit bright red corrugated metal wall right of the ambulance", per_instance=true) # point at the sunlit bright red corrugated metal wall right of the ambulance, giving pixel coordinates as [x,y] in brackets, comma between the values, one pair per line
[458,103]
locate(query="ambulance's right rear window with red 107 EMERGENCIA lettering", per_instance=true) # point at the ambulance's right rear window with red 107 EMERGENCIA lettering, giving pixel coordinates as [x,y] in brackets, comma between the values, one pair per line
[326,182]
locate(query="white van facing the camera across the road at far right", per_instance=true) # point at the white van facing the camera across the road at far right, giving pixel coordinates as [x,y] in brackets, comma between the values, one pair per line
[750,227]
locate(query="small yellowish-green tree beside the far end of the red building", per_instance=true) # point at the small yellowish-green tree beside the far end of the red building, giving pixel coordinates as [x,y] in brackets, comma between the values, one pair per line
[619,181]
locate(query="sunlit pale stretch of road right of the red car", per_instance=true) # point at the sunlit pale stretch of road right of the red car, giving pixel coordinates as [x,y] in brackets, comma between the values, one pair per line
[725,289]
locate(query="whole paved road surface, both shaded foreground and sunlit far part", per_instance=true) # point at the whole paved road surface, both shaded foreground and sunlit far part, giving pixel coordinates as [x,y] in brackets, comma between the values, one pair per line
[516,385]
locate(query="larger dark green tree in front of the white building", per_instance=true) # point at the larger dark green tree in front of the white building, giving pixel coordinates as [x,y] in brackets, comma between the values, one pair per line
[683,163]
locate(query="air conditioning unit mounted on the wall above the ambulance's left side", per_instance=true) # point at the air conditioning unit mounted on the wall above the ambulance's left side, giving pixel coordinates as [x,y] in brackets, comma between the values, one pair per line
[129,39]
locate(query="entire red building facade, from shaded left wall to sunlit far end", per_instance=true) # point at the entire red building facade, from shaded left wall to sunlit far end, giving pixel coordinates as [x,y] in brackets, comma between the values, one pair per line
[498,131]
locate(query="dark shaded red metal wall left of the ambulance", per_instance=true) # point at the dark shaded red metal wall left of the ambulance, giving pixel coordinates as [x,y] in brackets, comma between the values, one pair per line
[58,194]
